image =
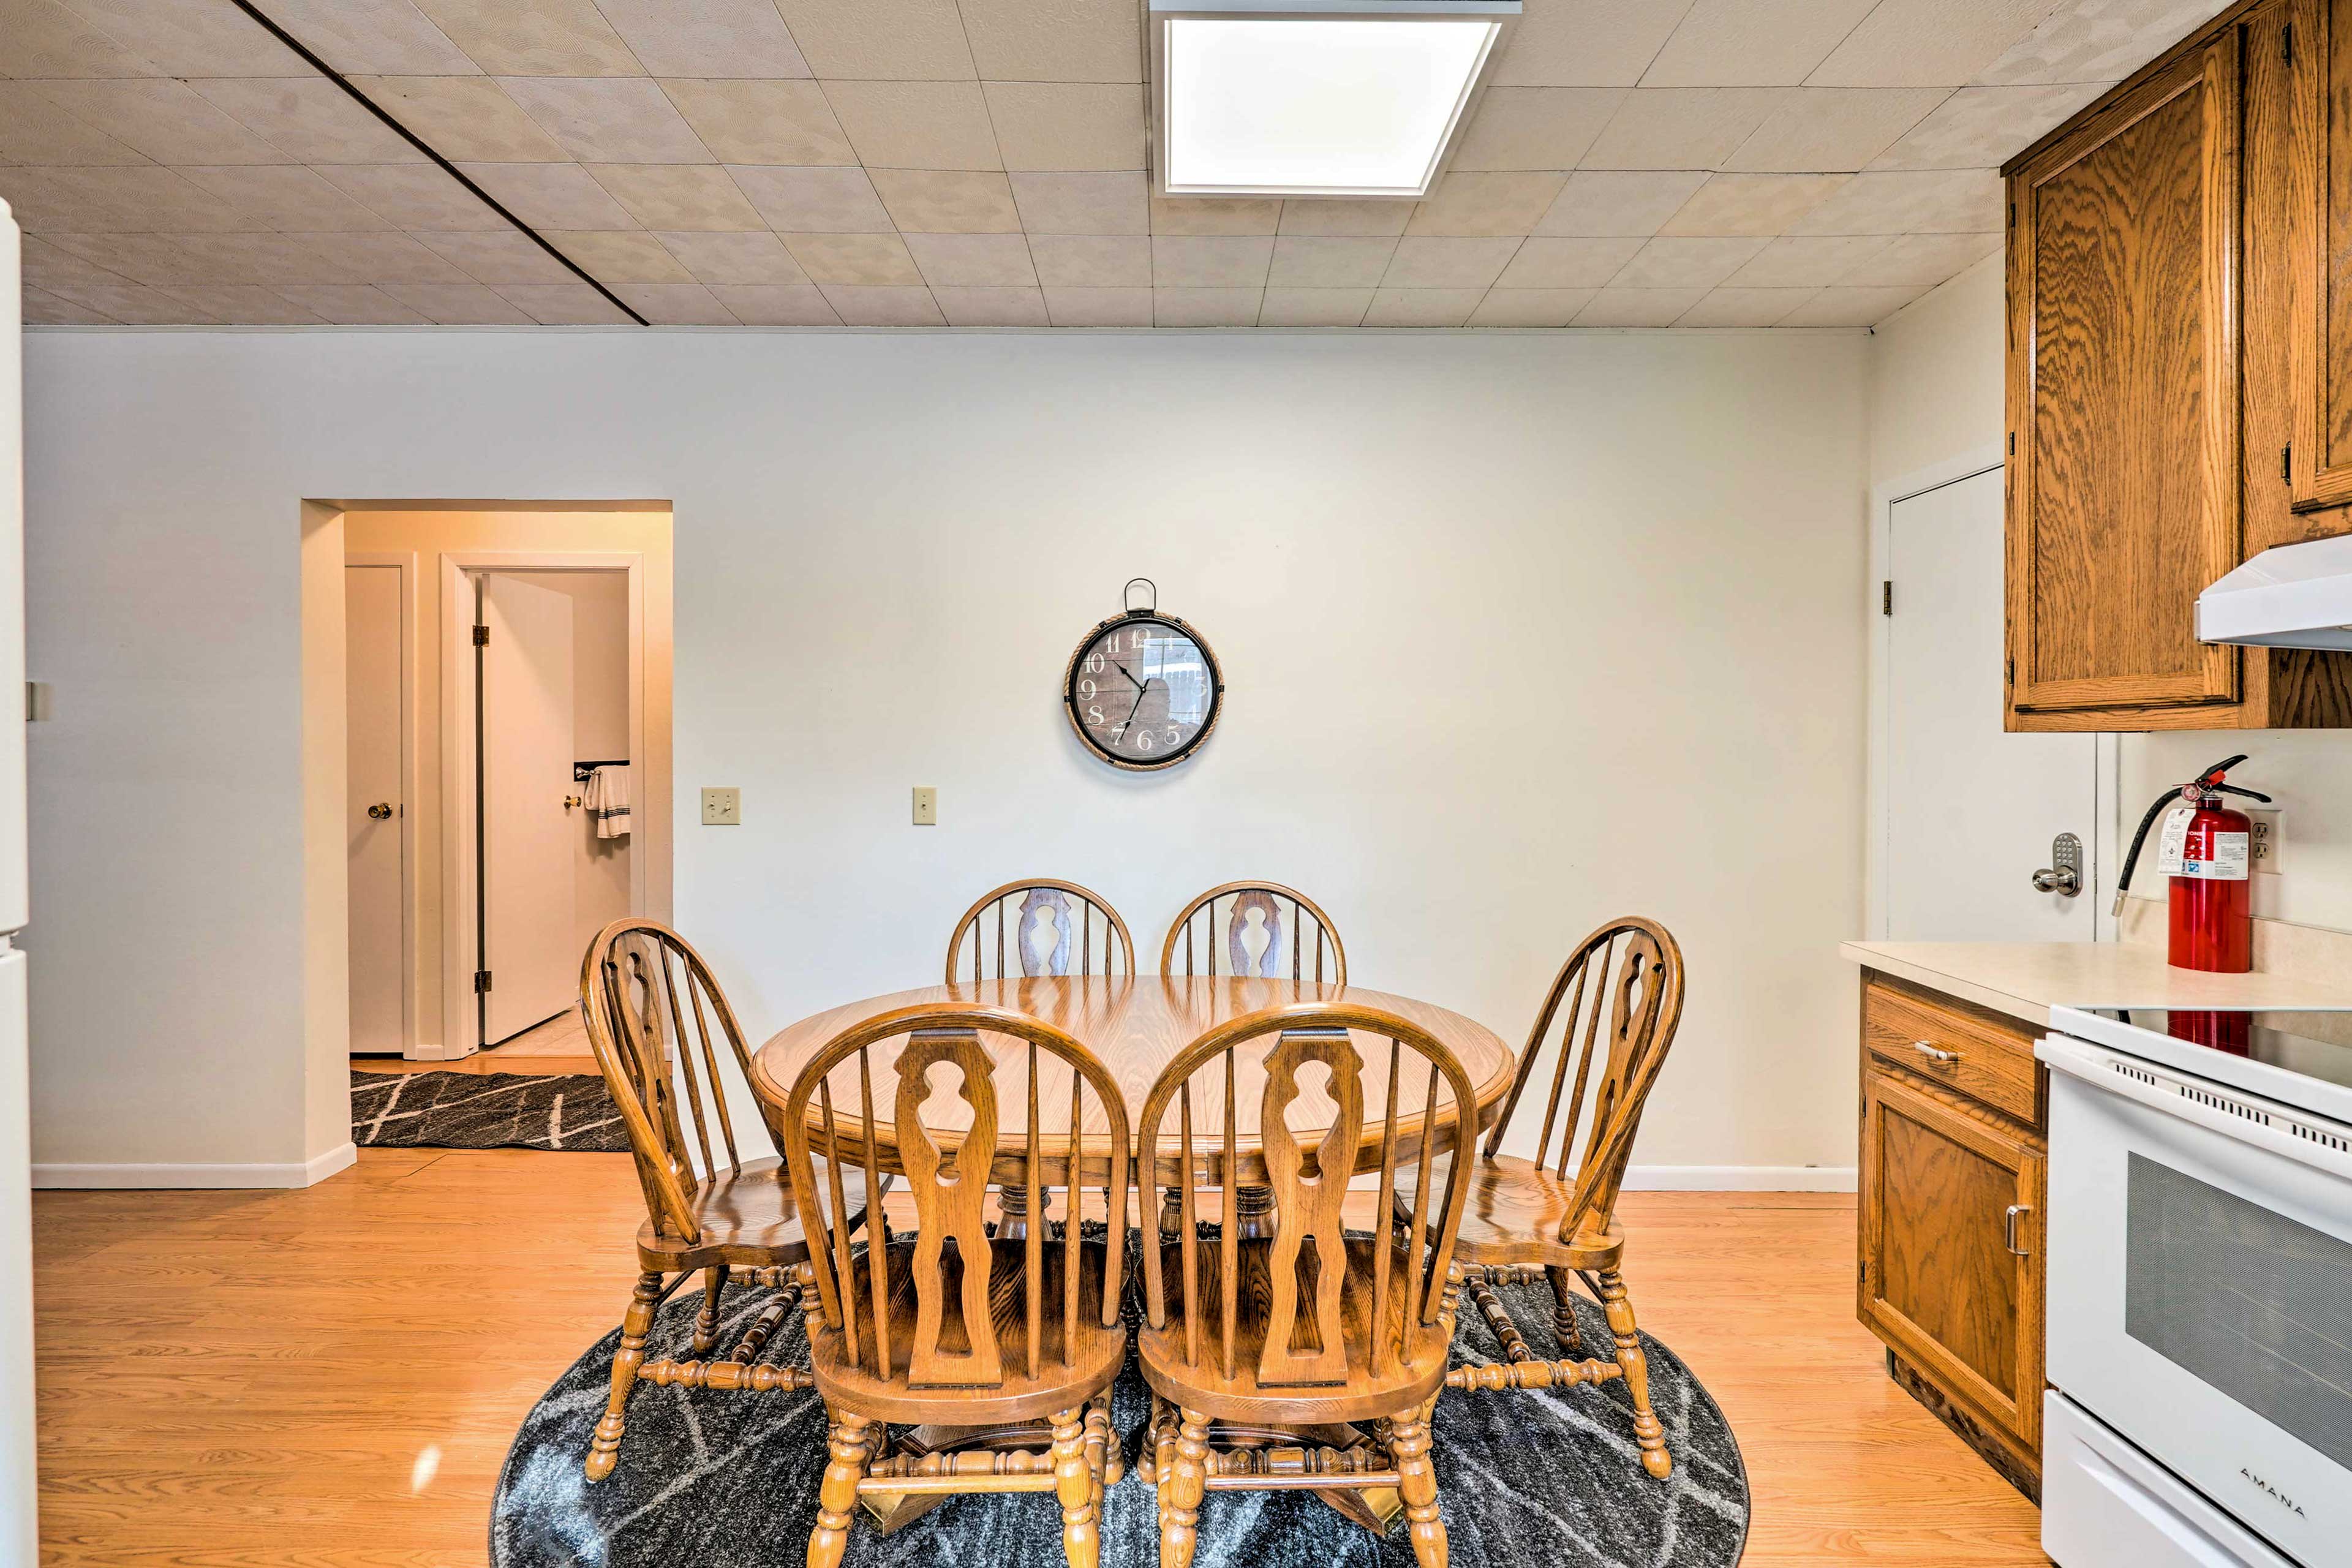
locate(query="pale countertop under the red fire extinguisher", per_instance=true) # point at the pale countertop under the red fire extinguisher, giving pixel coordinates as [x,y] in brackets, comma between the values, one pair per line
[2029,979]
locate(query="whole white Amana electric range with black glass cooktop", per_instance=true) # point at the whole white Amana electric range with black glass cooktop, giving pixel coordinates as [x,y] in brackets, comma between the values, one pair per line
[2200,1289]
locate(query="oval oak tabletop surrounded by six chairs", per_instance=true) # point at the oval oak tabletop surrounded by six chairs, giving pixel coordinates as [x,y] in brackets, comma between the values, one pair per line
[1137,1026]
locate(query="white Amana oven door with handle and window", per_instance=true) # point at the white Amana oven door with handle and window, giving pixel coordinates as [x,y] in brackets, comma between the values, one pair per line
[2200,1287]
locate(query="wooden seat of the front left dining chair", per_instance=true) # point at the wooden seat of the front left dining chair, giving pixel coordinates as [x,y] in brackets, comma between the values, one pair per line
[1067,1374]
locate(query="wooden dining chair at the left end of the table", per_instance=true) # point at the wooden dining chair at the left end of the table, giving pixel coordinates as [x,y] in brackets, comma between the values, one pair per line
[641,991]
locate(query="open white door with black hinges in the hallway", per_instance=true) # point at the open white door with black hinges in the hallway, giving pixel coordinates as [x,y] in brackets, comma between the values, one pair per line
[528,833]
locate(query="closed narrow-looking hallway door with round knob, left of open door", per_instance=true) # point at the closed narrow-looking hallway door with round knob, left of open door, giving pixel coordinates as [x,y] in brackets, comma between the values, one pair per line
[377,810]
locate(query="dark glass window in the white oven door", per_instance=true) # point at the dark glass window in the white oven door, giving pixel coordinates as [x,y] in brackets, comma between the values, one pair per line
[2245,1301]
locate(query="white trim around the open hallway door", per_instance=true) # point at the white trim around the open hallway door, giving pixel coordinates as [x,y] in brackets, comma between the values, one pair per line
[460,944]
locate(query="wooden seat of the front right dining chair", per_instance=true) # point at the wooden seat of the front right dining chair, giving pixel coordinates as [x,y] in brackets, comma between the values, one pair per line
[1401,1383]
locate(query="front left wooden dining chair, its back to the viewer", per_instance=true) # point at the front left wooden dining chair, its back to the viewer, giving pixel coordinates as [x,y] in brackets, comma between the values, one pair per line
[998,1339]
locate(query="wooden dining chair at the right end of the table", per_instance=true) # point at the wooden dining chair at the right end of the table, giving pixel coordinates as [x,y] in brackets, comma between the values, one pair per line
[1624,1000]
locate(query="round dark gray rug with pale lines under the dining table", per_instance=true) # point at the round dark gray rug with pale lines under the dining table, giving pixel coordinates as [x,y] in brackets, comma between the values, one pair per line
[1528,1480]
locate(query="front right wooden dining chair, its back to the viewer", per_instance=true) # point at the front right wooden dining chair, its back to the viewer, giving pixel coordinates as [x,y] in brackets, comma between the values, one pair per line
[1281,1341]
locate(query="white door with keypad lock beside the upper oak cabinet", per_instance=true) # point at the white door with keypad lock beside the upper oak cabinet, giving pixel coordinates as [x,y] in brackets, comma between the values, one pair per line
[1970,810]
